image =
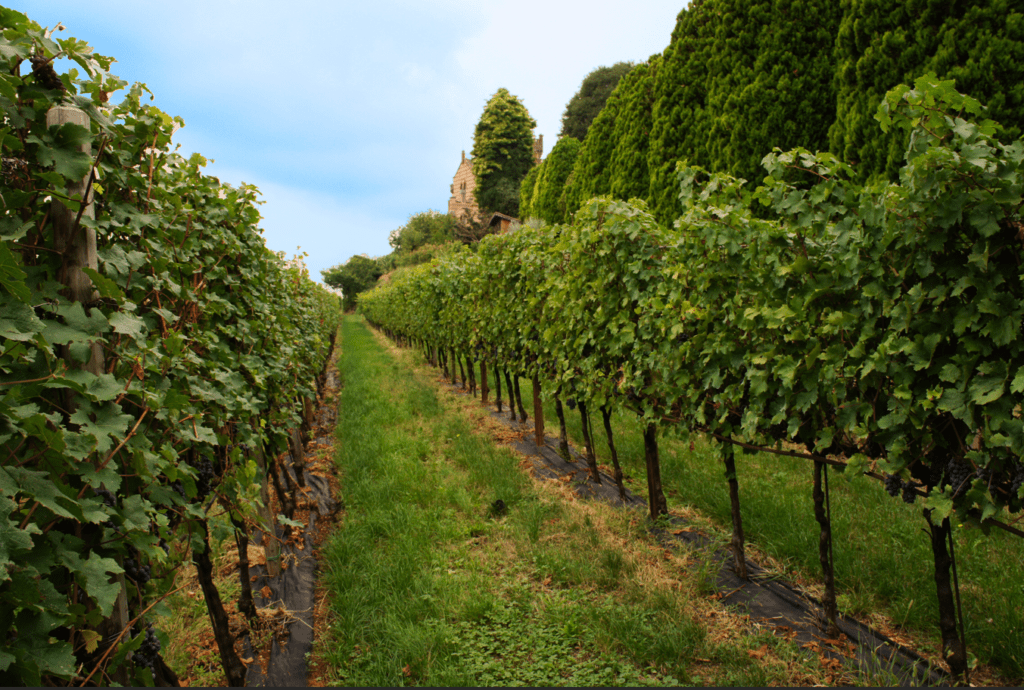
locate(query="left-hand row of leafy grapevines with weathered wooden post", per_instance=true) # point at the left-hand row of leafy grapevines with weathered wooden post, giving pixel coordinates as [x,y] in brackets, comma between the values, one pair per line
[155,360]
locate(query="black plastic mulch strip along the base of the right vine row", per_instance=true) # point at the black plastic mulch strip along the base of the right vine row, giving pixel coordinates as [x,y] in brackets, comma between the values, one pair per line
[783,607]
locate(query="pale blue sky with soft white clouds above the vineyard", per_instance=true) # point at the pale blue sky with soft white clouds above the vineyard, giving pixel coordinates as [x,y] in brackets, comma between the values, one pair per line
[352,117]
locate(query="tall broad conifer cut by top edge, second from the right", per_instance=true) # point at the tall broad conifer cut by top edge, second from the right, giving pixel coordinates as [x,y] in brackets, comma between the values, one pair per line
[740,78]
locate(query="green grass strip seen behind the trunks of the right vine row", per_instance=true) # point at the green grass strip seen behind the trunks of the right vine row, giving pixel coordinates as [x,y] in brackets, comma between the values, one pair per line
[883,558]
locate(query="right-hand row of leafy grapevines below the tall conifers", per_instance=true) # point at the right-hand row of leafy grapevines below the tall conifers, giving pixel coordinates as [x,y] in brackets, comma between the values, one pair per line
[874,329]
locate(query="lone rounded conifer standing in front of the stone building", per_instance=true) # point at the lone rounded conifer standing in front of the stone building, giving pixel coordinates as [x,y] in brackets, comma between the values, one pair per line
[503,153]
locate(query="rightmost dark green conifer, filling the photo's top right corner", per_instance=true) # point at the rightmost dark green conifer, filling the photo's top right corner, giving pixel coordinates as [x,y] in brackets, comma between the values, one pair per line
[881,45]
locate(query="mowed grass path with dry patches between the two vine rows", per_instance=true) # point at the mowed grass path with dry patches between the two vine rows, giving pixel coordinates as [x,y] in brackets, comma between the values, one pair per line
[431,585]
